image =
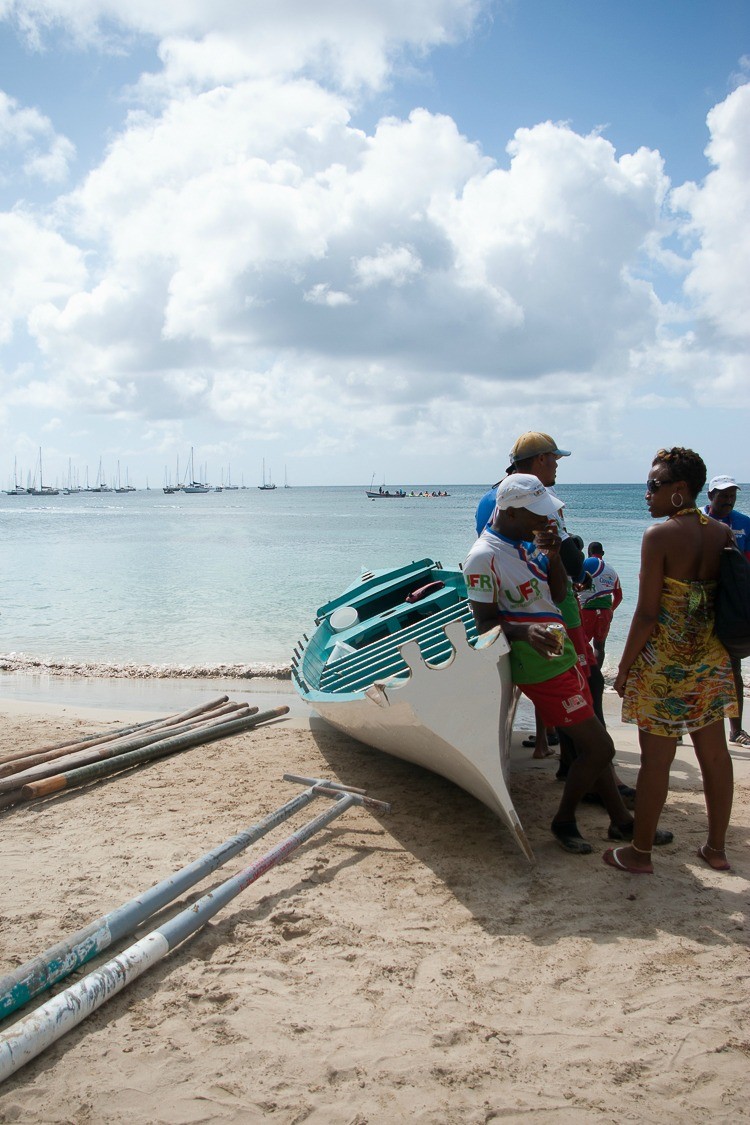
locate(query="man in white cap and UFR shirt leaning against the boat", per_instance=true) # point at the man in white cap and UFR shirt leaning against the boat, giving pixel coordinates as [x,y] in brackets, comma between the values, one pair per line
[516,579]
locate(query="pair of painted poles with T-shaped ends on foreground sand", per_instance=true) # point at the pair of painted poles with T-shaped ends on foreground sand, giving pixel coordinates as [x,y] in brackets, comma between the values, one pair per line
[31,1037]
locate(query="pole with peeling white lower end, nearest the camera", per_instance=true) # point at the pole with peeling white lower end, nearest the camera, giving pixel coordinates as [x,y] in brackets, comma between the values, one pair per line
[29,1038]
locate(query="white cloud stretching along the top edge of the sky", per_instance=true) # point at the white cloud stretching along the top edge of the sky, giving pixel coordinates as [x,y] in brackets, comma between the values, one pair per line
[213,42]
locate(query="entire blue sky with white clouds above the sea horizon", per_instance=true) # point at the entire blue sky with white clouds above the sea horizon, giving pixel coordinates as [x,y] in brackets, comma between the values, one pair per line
[373,241]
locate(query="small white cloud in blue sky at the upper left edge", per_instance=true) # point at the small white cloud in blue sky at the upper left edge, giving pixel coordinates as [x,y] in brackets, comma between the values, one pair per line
[29,134]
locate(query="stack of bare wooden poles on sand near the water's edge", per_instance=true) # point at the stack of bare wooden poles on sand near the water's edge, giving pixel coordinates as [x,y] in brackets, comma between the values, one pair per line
[38,773]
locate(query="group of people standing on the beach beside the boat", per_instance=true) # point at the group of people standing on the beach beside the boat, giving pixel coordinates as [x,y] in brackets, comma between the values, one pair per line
[556,605]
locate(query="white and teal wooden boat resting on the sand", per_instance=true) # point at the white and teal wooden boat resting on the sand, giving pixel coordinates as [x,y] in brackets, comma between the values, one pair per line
[396,662]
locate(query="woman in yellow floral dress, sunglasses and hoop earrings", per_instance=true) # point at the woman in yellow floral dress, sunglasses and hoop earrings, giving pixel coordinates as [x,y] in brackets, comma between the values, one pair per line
[675,676]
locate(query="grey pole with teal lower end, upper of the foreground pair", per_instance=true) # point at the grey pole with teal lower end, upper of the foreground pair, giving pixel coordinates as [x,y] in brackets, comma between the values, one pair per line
[21,986]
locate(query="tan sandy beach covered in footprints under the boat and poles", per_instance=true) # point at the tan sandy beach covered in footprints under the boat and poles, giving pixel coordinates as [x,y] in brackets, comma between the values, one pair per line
[411,967]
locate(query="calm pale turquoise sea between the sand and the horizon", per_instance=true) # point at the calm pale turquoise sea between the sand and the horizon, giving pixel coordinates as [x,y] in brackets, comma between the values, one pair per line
[231,580]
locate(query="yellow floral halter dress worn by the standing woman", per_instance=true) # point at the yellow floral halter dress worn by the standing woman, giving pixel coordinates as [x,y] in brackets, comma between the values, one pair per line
[682,680]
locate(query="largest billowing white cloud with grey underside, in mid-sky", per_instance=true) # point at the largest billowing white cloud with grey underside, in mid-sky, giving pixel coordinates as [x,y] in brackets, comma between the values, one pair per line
[258,221]
